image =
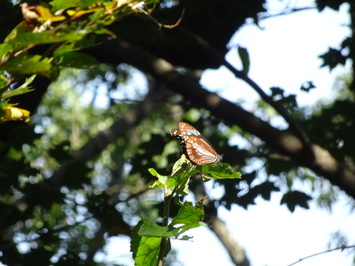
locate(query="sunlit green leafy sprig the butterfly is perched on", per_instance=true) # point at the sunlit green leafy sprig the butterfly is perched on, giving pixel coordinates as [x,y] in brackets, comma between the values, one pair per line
[151,242]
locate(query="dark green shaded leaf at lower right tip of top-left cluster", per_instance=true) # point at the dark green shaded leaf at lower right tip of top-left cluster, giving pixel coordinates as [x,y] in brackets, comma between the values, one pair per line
[76,60]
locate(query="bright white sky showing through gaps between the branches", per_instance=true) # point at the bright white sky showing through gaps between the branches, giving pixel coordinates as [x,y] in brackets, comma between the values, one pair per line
[270,234]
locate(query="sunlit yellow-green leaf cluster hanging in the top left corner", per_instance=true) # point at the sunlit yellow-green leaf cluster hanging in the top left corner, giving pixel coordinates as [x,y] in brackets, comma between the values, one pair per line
[48,39]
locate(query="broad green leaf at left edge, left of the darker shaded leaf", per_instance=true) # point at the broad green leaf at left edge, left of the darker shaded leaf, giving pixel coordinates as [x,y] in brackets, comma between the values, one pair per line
[30,64]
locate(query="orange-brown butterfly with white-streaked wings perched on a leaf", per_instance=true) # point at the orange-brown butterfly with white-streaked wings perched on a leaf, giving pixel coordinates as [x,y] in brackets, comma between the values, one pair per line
[194,145]
